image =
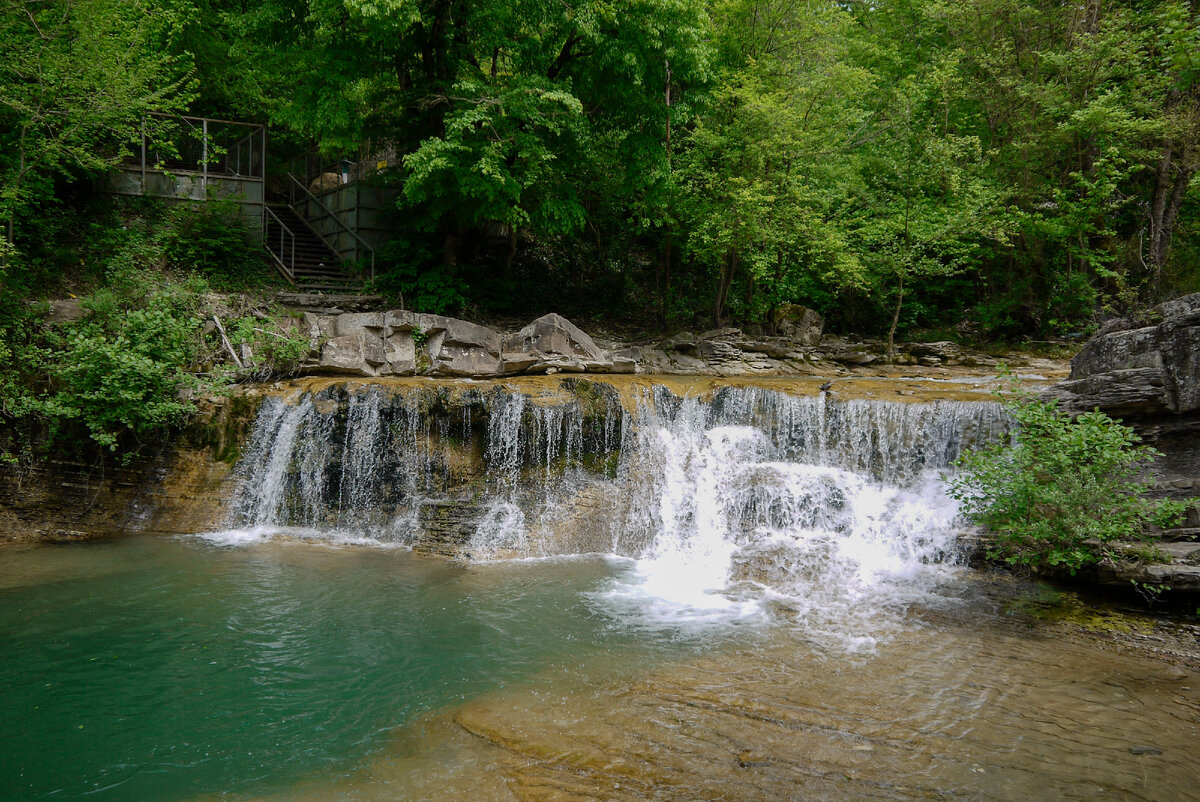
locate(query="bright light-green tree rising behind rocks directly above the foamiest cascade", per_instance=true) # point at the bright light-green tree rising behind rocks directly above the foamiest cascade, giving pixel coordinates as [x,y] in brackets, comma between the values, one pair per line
[769,163]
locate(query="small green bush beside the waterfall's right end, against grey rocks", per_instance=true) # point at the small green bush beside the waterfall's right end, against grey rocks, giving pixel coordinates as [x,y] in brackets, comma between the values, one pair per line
[1065,492]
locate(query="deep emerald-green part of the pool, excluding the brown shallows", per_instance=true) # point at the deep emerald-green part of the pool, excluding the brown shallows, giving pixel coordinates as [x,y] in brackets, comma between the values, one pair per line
[165,668]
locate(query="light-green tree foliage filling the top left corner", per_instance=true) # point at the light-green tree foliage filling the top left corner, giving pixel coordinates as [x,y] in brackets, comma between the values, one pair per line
[76,80]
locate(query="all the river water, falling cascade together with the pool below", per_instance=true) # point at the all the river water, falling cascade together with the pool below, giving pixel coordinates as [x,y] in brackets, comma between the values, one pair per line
[748,597]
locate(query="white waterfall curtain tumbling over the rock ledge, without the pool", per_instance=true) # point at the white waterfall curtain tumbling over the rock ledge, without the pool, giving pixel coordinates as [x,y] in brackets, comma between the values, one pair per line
[748,505]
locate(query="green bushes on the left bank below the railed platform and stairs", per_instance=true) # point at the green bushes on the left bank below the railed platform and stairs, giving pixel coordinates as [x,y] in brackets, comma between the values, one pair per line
[133,356]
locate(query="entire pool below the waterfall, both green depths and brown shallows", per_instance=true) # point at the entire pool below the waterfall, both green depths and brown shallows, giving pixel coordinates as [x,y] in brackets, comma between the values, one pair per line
[175,669]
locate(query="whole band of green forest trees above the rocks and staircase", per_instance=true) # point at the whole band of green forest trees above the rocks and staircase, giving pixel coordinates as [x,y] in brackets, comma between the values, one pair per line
[1012,167]
